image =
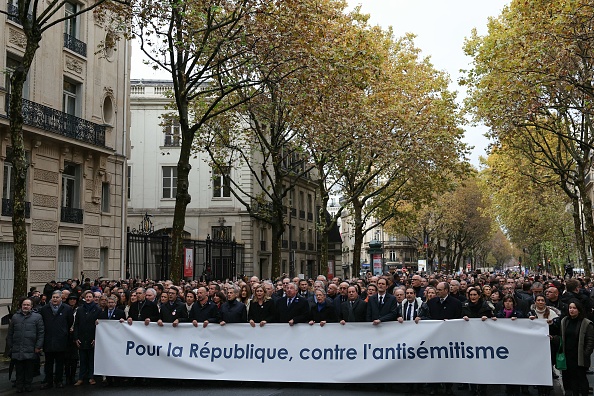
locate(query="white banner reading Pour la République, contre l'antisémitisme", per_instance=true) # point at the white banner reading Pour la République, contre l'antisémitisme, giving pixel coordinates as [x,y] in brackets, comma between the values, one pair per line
[490,352]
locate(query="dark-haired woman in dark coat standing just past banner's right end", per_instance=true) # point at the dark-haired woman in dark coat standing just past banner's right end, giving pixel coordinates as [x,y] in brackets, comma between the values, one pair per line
[577,336]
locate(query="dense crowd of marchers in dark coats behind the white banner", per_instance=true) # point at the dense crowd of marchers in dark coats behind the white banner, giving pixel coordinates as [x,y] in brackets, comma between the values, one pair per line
[61,320]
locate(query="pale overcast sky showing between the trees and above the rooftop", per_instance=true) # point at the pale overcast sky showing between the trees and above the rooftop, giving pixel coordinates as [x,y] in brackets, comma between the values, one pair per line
[440,26]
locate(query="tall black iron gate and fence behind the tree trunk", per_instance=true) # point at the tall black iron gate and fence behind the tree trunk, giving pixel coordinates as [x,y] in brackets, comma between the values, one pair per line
[149,257]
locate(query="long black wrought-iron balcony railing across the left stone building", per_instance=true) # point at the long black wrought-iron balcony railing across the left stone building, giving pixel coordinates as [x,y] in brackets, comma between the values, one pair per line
[56,121]
